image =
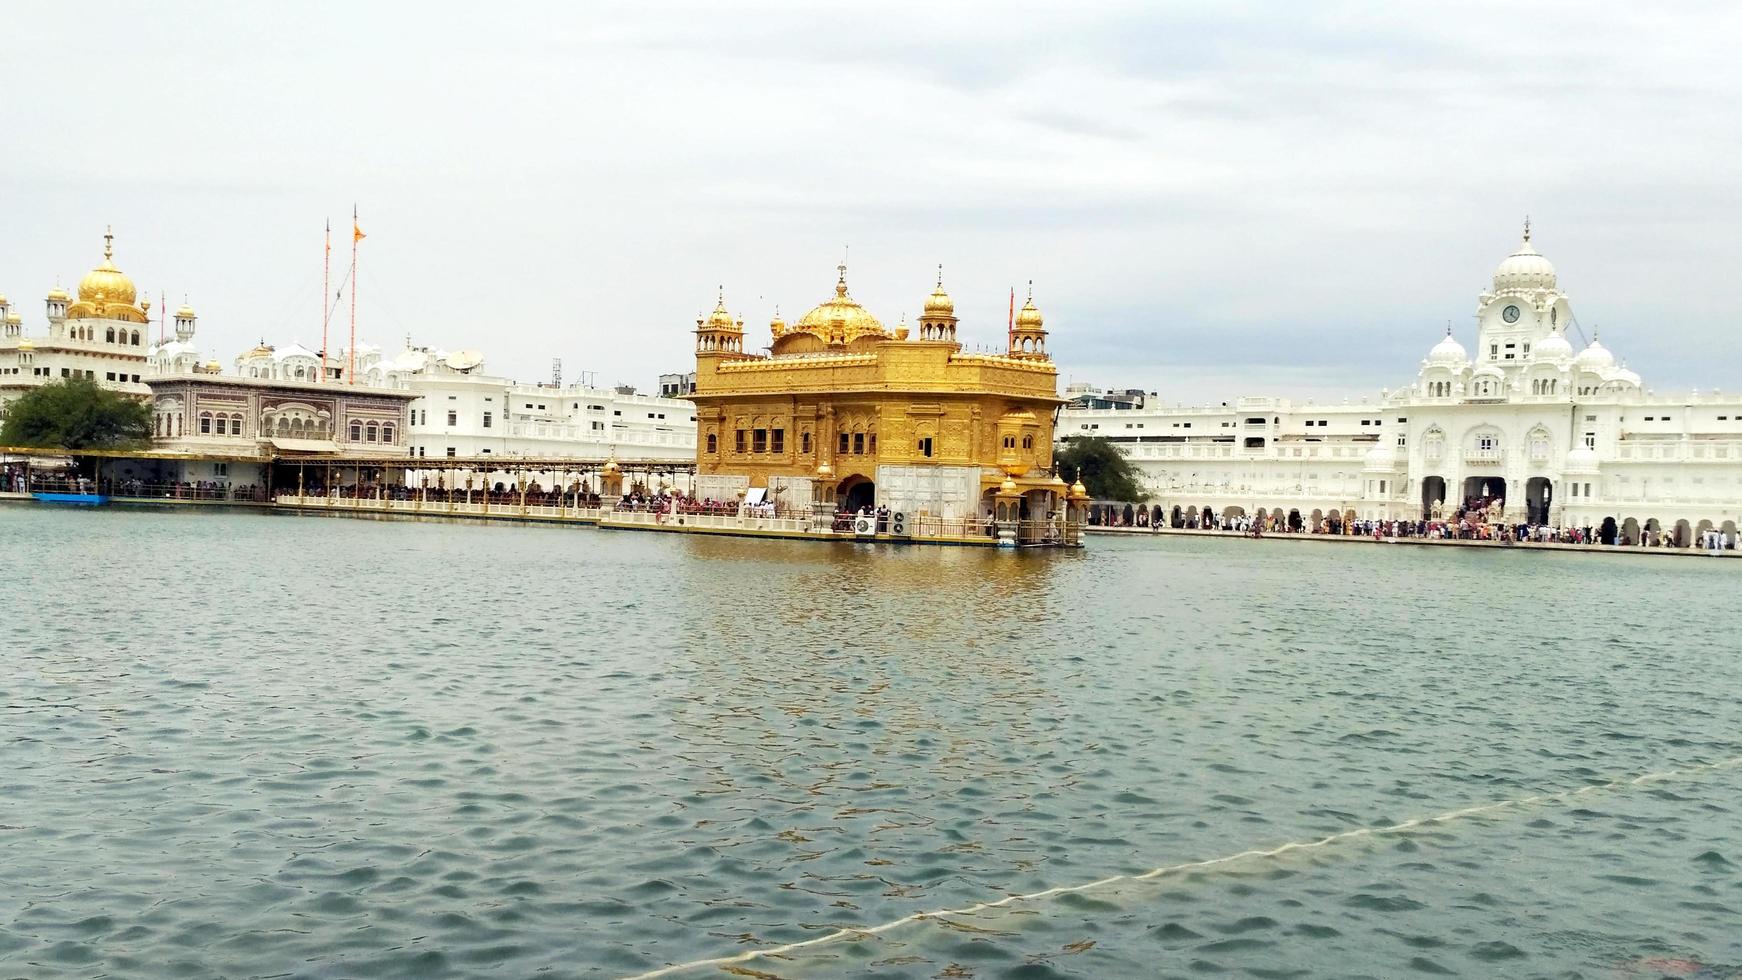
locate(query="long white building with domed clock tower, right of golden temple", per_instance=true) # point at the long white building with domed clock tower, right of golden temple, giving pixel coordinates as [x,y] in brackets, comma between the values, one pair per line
[1527,429]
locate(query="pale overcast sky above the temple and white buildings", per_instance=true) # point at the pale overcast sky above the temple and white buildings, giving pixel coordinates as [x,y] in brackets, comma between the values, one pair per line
[1212,199]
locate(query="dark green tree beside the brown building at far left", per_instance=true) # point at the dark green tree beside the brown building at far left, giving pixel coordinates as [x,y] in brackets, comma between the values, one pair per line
[76,413]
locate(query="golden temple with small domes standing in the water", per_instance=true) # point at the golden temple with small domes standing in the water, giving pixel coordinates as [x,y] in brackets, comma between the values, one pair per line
[849,413]
